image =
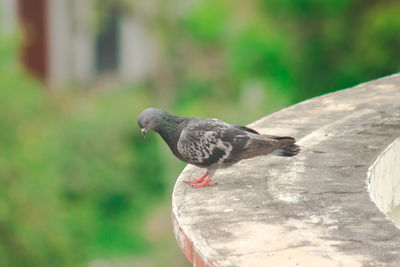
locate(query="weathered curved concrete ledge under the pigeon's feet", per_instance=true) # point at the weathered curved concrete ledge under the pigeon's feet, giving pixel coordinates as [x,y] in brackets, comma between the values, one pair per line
[311,210]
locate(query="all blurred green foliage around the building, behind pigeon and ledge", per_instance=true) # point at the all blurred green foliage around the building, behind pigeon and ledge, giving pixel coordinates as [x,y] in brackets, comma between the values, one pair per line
[76,177]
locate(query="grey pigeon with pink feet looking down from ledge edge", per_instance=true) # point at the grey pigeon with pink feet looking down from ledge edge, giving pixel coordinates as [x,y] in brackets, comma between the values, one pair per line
[212,143]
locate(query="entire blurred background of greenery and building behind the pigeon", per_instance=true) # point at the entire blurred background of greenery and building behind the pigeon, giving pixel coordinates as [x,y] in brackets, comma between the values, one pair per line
[78,184]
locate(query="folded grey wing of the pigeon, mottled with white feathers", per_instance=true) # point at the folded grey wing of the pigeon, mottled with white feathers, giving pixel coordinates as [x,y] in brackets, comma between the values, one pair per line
[205,142]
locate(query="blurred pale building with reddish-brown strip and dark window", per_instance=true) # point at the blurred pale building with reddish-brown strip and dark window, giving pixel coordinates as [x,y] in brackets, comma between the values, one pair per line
[62,46]
